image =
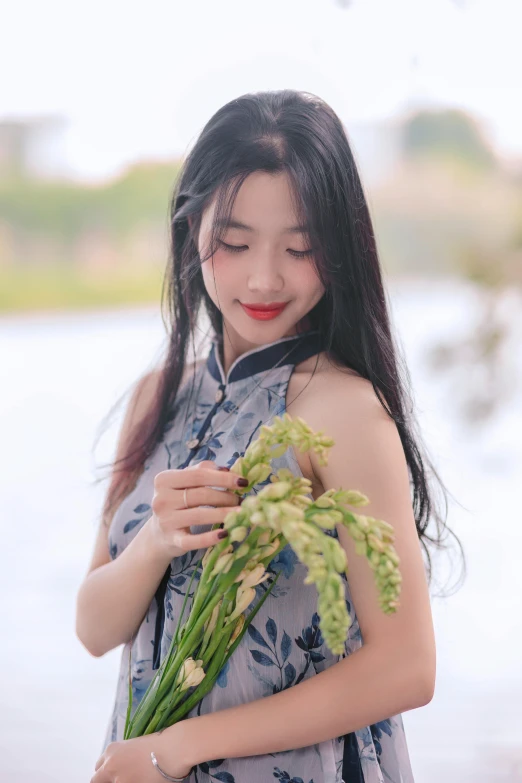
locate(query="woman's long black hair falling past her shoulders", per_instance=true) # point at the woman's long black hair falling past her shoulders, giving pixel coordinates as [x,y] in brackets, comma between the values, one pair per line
[299,134]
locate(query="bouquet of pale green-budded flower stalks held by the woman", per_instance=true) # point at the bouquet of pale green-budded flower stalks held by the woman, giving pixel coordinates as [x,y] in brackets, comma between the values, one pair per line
[279,514]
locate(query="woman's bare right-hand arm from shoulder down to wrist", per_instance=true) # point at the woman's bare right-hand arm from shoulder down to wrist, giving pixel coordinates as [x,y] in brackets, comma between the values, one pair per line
[394,670]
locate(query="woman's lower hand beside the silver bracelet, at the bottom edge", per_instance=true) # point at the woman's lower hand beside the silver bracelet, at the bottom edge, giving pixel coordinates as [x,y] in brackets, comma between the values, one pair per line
[129,761]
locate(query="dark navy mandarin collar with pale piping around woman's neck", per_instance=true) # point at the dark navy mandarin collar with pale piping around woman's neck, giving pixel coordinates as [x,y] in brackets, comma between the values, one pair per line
[299,347]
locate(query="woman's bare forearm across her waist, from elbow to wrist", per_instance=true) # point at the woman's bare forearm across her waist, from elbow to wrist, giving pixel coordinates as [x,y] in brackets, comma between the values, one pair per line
[372,684]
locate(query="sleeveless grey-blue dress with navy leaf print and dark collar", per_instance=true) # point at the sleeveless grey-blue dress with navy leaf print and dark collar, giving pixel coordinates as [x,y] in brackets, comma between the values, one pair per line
[283,645]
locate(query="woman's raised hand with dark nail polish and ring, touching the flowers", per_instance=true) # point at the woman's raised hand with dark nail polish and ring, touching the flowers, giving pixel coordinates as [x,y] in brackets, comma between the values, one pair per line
[171,520]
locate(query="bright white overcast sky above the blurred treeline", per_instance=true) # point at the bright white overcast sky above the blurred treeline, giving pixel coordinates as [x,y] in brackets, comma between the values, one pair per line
[140,79]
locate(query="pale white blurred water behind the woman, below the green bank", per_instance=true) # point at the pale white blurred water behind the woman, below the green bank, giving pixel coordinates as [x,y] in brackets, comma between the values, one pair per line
[60,374]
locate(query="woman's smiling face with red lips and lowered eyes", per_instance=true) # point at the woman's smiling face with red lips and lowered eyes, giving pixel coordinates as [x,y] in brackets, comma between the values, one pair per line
[272,263]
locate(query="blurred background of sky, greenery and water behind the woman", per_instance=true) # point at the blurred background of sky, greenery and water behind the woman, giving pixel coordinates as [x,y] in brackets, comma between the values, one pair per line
[101,103]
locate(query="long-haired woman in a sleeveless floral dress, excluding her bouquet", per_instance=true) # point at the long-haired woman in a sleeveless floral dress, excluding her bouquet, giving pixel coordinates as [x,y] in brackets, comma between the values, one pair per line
[271,235]
